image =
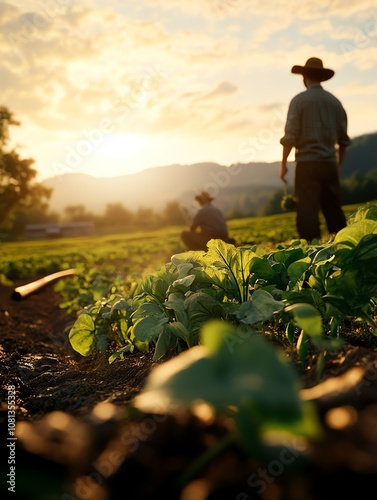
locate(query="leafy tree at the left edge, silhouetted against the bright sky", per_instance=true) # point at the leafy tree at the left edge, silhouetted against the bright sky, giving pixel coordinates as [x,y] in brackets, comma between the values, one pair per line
[17,177]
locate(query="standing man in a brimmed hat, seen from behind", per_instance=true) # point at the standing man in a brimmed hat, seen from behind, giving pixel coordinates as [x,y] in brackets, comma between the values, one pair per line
[316,123]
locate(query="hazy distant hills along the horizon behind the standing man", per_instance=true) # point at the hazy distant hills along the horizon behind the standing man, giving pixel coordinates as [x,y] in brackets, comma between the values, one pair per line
[155,187]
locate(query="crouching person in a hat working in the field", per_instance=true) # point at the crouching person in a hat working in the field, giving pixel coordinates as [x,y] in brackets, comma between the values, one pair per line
[210,221]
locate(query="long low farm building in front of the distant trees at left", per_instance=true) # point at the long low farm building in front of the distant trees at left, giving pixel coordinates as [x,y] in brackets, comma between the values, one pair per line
[59,230]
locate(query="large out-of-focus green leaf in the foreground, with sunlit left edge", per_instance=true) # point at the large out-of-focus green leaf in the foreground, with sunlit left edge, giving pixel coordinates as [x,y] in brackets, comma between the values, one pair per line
[255,374]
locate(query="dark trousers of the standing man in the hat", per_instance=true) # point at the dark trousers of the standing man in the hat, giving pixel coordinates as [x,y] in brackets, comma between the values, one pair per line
[317,187]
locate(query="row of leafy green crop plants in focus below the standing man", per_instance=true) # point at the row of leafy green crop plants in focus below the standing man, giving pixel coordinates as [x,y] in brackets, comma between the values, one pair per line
[311,289]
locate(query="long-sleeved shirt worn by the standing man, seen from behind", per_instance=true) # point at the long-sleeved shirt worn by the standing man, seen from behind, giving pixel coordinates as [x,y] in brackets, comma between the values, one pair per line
[316,122]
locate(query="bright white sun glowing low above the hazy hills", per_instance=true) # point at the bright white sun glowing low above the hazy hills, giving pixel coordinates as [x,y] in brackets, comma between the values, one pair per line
[121,146]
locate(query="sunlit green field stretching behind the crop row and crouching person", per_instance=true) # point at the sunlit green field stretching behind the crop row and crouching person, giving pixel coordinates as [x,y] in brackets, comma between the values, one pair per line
[131,254]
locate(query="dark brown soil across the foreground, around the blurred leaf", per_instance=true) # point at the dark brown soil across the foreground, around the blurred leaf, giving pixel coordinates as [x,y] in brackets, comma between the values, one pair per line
[78,437]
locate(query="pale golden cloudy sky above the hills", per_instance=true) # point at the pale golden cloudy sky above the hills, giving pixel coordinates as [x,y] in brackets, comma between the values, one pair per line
[108,88]
